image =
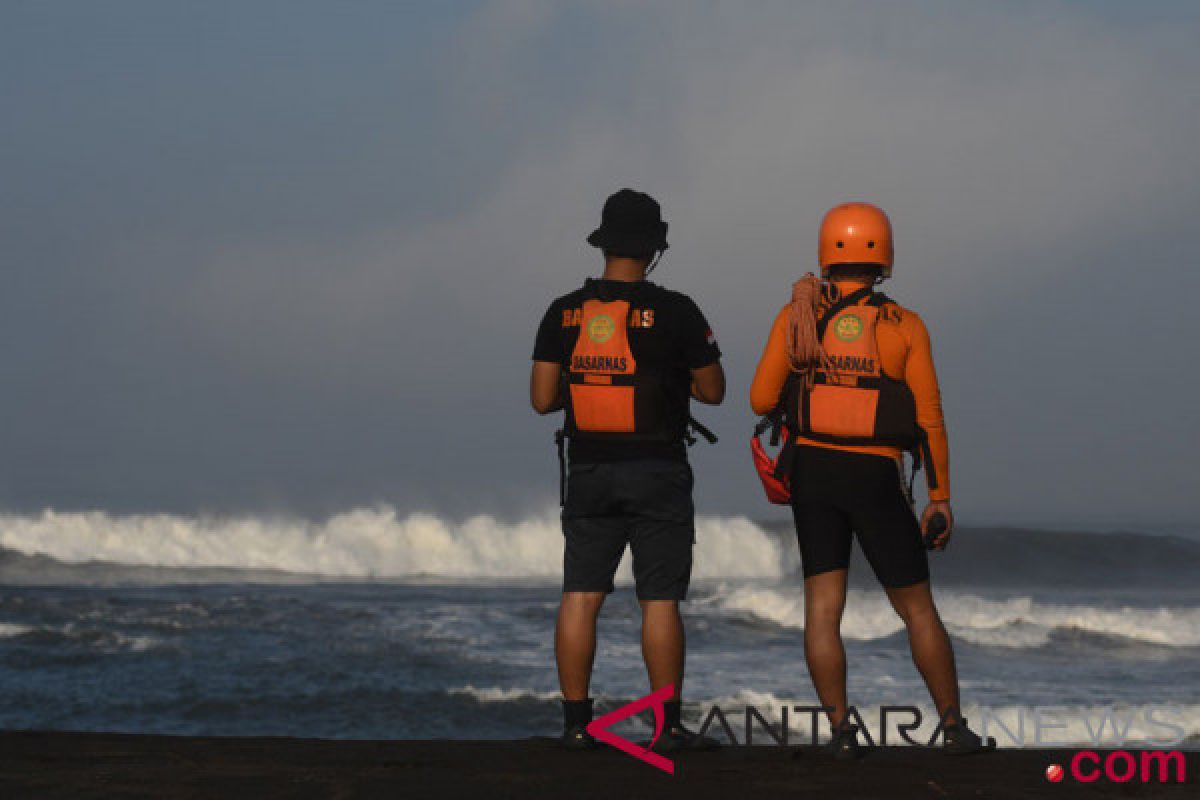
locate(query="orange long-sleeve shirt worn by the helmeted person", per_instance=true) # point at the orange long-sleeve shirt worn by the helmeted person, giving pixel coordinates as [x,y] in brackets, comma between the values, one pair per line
[905,354]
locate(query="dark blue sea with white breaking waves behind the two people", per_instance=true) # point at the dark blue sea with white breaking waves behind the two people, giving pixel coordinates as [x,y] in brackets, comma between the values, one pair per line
[379,625]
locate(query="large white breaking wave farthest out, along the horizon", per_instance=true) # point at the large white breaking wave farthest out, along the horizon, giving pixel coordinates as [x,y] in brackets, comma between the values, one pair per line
[363,544]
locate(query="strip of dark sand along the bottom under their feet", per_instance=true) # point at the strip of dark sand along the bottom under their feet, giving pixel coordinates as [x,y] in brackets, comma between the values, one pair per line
[121,766]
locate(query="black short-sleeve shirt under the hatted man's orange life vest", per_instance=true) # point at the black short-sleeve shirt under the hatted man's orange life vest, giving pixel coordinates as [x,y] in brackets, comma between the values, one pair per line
[673,336]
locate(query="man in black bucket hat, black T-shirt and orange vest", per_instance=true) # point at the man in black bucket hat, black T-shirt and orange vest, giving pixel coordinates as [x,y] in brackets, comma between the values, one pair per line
[623,358]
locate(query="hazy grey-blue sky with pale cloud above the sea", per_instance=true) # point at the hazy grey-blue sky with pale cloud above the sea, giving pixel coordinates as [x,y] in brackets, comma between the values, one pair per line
[291,257]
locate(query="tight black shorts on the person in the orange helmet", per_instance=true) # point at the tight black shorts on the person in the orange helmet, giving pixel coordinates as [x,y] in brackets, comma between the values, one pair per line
[838,494]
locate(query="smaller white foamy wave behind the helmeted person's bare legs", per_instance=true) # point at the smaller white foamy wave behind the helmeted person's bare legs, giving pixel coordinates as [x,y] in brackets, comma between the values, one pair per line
[1012,623]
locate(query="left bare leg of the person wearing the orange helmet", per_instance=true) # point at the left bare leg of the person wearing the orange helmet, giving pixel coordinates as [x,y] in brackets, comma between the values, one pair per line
[825,599]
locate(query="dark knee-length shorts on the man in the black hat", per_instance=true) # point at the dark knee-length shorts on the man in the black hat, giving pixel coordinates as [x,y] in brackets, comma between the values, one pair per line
[646,504]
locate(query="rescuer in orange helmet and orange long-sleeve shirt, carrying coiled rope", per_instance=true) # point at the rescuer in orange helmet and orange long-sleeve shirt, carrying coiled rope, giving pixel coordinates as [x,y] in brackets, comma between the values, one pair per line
[854,374]
